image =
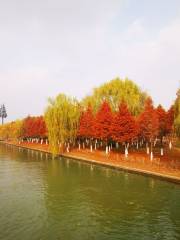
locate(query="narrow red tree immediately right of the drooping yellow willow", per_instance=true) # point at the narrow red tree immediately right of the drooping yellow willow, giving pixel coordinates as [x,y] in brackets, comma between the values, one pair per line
[86,123]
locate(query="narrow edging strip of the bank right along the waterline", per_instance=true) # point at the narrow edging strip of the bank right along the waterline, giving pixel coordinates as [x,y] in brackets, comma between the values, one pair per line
[119,167]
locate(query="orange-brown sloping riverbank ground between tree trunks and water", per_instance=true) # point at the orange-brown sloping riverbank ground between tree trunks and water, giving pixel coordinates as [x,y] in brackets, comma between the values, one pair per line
[162,166]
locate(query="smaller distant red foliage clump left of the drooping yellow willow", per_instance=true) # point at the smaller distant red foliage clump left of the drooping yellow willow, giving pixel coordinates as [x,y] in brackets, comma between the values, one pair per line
[34,127]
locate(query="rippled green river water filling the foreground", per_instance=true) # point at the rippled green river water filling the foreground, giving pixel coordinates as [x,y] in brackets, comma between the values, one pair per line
[41,198]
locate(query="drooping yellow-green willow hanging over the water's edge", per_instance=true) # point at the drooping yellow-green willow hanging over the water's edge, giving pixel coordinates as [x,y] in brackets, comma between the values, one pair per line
[62,119]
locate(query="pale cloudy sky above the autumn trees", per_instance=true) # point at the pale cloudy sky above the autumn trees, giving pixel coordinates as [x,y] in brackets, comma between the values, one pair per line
[52,46]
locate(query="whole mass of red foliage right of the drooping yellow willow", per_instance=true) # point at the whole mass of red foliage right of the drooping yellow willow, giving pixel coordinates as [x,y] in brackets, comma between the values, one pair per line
[122,127]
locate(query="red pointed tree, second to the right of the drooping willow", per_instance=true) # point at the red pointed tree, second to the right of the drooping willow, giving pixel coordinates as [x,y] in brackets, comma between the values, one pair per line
[103,122]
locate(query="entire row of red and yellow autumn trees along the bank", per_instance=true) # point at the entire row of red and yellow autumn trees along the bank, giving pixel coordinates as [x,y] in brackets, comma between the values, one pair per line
[116,114]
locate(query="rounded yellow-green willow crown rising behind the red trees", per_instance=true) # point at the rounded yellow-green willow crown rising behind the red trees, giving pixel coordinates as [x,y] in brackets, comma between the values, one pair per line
[116,91]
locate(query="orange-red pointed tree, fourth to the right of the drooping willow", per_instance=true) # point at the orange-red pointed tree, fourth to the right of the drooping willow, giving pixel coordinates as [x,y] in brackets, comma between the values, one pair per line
[148,122]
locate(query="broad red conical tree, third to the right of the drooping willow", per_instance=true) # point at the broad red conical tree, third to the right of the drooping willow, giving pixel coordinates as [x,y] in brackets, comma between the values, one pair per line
[123,127]
